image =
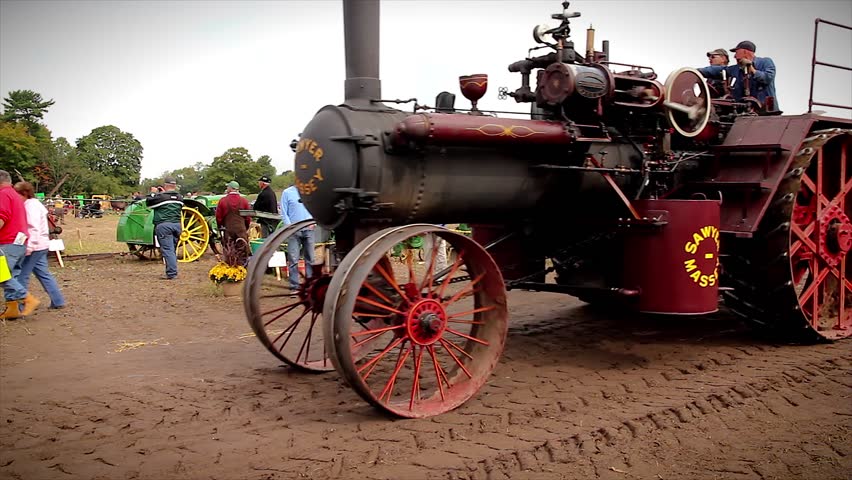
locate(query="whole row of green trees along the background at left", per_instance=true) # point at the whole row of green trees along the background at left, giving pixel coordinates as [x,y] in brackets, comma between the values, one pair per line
[107,161]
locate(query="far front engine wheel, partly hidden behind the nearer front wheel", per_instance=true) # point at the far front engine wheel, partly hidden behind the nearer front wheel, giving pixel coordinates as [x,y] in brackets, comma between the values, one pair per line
[288,322]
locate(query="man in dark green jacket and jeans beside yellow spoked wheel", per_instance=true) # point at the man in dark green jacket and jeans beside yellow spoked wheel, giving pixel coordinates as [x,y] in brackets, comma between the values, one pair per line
[167,206]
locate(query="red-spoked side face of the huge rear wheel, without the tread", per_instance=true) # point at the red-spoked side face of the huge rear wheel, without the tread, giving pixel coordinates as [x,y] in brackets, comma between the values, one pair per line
[820,240]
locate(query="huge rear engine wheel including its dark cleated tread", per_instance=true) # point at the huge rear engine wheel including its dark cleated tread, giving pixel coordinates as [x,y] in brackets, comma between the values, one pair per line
[794,277]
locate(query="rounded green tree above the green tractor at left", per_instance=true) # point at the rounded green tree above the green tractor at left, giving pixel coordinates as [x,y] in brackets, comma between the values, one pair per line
[113,153]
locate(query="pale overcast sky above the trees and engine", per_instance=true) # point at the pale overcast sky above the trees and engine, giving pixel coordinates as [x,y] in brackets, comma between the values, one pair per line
[190,79]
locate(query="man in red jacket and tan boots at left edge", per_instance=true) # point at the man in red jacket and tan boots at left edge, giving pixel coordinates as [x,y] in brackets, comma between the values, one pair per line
[13,244]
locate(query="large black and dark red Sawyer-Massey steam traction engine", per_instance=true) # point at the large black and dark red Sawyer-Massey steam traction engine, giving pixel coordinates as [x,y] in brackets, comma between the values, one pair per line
[669,197]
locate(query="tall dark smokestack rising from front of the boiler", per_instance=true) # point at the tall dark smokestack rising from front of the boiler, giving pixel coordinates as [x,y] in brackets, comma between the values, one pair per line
[361,37]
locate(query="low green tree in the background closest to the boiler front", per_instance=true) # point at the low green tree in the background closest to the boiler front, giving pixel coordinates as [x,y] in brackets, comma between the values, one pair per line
[237,164]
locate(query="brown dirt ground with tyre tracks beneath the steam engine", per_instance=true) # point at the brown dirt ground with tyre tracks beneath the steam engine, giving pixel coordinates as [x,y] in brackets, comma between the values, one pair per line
[141,378]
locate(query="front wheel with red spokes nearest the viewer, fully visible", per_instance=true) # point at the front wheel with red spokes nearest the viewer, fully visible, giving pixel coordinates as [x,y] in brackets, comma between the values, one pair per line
[416,340]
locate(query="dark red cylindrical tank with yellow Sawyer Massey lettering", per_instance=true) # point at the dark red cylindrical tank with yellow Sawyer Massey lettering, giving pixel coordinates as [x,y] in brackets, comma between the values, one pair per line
[676,266]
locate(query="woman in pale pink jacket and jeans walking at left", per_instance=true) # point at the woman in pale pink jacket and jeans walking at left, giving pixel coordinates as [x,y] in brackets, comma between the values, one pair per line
[36,259]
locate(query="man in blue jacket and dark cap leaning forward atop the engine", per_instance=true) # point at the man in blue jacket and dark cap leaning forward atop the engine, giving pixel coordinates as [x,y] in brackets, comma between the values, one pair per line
[752,76]
